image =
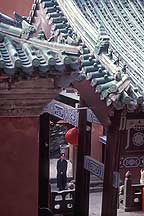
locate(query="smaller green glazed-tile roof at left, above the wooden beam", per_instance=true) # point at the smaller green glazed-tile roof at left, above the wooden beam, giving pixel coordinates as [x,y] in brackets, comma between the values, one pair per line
[18,54]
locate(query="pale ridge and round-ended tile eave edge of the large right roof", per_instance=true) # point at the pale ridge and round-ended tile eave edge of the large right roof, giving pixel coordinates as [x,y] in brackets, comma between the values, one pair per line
[115,83]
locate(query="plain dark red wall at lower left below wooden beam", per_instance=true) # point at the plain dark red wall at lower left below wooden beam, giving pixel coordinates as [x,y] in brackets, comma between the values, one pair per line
[18,166]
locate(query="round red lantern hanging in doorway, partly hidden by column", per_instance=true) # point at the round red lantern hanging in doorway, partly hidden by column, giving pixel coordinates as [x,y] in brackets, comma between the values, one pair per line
[71,136]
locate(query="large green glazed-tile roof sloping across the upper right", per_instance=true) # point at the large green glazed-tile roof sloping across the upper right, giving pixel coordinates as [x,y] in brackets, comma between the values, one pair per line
[110,36]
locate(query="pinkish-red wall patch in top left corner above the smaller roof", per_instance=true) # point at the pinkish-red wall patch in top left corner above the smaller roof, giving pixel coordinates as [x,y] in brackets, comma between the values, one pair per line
[20,6]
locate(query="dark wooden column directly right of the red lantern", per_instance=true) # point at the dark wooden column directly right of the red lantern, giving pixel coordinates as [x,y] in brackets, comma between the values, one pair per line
[81,206]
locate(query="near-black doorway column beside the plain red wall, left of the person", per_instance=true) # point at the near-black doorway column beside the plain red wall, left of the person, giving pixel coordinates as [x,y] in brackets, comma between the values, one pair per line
[44,161]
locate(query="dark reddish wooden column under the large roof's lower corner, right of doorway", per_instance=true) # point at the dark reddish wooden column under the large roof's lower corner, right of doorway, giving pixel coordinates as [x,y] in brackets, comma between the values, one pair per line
[112,161]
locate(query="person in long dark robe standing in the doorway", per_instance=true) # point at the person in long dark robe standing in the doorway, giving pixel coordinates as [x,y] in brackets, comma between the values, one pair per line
[61,172]
